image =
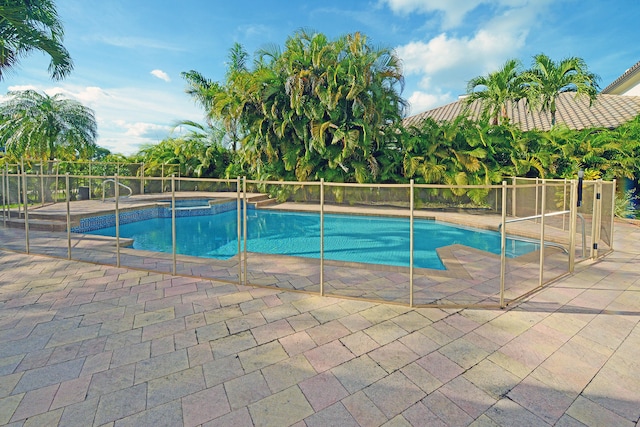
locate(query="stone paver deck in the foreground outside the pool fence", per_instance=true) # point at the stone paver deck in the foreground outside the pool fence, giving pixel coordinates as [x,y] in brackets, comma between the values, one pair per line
[84,344]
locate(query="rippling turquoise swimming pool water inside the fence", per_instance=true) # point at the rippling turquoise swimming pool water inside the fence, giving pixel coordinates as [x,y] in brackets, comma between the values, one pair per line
[365,239]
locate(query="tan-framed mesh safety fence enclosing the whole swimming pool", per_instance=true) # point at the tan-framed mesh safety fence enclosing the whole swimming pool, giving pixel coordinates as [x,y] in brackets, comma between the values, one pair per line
[344,240]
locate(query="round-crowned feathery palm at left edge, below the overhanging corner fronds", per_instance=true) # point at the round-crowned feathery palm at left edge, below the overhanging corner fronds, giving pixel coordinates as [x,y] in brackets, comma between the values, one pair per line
[47,127]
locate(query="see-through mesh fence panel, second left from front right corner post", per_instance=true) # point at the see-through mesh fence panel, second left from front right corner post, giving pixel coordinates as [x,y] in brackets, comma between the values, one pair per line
[367,241]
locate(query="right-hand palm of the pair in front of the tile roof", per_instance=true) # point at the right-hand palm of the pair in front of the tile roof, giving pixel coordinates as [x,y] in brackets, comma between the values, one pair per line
[547,79]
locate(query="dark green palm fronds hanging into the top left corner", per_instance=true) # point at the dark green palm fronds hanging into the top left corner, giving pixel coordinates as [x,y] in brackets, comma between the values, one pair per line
[32,25]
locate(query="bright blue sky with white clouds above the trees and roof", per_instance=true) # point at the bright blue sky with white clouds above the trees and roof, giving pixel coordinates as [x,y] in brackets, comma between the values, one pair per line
[129,54]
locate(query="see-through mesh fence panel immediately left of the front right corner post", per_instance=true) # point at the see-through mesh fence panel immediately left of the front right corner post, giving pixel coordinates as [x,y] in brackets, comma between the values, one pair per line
[457,226]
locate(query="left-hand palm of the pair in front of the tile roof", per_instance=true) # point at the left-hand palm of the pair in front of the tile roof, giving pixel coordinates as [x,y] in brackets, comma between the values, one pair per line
[496,90]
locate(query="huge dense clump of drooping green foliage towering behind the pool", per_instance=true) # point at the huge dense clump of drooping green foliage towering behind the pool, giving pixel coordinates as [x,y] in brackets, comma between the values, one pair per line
[322,108]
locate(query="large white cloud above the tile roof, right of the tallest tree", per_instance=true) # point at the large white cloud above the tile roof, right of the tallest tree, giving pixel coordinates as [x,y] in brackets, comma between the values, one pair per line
[445,63]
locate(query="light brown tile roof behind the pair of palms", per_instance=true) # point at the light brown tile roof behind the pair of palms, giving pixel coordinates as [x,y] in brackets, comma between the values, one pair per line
[608,111]
